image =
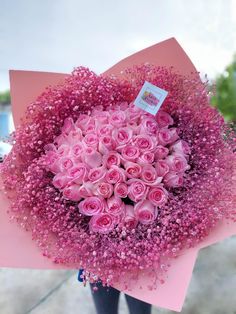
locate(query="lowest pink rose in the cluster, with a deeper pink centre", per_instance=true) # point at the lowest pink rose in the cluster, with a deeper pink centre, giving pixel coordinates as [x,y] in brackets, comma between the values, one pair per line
[102,223]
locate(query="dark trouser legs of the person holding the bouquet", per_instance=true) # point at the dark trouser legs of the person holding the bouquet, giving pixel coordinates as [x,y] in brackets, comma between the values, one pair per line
[106,301]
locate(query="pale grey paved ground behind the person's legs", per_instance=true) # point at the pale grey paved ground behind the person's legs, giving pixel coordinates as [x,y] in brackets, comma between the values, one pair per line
[211,291]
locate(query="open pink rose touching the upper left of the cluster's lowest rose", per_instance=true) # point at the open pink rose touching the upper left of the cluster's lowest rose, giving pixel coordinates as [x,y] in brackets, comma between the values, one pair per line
[92,205]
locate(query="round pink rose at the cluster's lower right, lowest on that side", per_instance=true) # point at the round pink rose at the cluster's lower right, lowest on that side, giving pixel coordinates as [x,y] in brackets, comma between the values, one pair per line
[145,212]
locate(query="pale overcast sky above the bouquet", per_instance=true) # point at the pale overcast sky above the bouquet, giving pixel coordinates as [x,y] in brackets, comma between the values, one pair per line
[58,35]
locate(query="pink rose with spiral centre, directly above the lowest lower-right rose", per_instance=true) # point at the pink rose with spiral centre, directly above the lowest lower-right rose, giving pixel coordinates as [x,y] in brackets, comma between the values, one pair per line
[137,190]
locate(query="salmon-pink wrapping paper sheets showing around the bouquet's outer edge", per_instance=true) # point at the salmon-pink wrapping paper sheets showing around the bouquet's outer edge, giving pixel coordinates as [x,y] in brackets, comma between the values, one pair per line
[17,250]
